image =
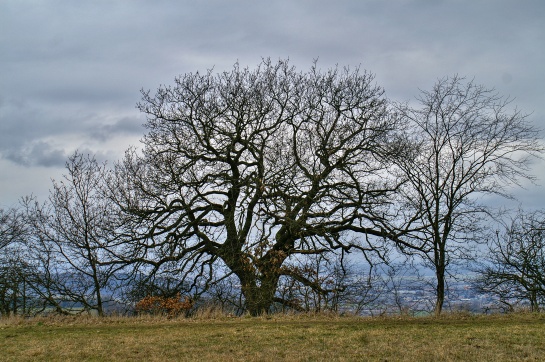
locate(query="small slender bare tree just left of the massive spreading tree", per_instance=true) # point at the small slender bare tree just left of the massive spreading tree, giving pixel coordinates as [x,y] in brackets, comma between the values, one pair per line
[71,235]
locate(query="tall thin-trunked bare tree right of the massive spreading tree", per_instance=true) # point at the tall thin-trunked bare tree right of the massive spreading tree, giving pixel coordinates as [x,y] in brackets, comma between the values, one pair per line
[464,141]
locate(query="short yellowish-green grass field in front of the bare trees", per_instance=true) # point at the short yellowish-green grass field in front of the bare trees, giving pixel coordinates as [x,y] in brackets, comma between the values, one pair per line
[273,338]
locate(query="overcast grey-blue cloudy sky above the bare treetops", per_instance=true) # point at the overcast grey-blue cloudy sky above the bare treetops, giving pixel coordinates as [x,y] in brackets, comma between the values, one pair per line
[71,71]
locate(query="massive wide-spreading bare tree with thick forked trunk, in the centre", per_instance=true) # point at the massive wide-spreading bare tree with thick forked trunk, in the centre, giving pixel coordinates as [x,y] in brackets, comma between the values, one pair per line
[248,168]
